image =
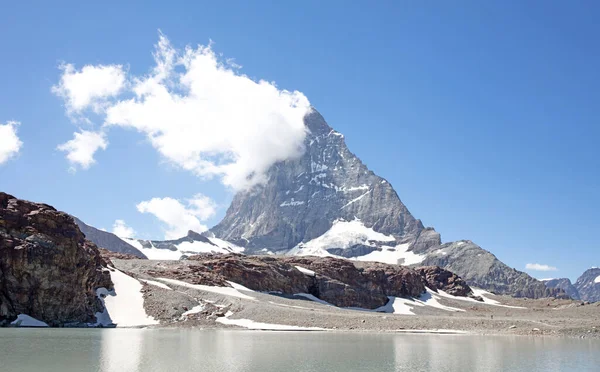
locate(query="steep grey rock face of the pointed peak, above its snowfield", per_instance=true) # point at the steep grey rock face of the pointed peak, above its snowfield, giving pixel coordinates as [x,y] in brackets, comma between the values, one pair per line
[303,198]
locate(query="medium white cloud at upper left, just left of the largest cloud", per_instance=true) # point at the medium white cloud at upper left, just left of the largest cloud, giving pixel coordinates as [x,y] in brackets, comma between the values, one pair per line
[90,86]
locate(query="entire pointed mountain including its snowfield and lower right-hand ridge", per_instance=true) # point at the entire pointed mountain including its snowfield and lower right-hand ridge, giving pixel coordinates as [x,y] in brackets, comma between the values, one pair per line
[328,203]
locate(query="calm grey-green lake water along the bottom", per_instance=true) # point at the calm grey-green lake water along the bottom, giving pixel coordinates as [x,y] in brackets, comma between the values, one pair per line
[145,350]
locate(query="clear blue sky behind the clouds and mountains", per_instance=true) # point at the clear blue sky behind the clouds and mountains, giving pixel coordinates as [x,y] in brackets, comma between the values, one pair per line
[483,116]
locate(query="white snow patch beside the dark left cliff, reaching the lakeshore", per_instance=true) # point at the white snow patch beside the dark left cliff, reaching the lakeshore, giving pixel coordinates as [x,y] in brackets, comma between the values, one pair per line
[125,305]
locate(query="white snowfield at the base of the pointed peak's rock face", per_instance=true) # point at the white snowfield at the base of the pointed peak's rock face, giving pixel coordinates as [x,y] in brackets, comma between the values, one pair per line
[342,234]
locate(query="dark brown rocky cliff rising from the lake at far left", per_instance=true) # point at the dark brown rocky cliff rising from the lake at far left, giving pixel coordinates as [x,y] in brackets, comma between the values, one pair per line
[48,270]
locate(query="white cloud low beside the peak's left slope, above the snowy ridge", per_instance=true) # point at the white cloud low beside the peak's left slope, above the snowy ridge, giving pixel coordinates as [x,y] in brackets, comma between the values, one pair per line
[177,217]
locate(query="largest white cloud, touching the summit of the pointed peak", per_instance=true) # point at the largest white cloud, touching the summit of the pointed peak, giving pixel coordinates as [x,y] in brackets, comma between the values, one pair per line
[204,116]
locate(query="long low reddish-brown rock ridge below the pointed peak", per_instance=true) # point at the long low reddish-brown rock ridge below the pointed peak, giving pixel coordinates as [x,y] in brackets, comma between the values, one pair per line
[337,281]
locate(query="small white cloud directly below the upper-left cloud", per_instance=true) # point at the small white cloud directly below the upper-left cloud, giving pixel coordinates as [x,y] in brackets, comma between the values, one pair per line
[80,150]
